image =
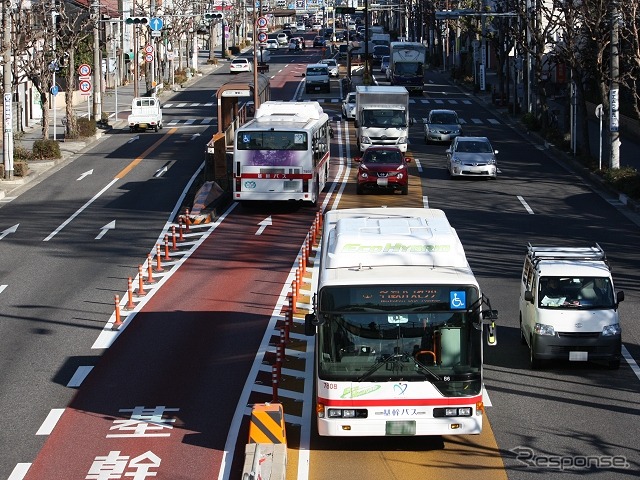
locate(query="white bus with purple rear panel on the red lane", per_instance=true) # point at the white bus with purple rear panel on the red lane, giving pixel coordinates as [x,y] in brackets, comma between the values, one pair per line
[282,154]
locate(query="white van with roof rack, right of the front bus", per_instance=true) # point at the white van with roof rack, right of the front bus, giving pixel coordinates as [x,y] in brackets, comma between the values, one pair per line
[568,306]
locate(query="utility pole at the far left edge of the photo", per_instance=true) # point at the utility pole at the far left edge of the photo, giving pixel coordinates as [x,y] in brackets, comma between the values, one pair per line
[7,139]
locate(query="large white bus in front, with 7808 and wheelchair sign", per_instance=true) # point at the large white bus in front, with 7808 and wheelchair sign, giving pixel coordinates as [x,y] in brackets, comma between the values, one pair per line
[399,320]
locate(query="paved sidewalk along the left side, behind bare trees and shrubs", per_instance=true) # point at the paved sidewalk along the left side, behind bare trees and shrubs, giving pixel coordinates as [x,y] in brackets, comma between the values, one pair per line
[70,148]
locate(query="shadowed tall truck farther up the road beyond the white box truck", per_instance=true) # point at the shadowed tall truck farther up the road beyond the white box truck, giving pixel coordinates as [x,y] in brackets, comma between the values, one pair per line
[407,61]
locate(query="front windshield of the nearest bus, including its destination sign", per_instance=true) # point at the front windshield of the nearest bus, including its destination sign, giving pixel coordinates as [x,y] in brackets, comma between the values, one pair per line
[376,334]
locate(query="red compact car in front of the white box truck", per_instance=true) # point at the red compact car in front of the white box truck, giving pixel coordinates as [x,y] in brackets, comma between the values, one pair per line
[383,168]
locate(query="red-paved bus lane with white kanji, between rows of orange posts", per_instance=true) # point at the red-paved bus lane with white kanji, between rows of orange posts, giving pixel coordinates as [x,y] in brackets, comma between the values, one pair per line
[160,402]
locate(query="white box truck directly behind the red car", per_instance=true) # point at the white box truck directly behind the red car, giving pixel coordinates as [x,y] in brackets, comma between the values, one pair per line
[382,116]
